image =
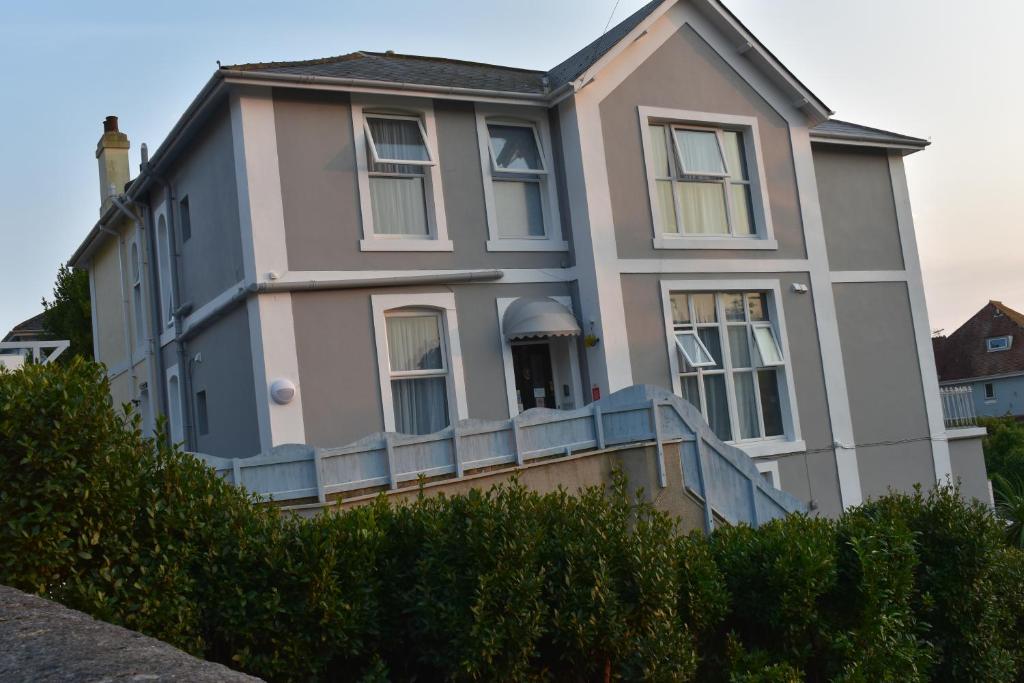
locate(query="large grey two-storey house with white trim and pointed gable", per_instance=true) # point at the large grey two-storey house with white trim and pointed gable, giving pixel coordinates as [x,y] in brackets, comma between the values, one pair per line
[380,242]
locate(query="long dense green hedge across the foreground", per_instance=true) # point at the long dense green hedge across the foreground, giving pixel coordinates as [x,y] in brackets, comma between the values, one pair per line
[503,585]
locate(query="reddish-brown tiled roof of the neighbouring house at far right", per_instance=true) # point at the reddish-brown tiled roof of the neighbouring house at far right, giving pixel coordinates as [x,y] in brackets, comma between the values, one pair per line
[964,355]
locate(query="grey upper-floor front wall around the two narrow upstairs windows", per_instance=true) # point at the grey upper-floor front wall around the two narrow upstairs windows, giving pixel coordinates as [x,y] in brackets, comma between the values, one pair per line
[321,196]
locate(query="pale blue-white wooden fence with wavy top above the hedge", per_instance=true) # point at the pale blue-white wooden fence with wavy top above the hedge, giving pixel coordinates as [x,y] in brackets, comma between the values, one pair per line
[712,469]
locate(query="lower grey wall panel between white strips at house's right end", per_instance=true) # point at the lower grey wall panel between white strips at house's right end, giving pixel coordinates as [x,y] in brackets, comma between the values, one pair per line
[883,375]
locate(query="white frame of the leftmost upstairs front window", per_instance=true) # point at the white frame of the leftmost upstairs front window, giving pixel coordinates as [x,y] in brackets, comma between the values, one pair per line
[400,108]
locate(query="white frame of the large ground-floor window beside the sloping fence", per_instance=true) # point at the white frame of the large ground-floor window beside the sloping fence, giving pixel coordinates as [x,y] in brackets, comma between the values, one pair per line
[792,440]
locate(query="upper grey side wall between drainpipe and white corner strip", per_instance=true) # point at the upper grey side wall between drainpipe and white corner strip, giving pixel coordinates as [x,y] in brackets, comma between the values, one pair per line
[211,260]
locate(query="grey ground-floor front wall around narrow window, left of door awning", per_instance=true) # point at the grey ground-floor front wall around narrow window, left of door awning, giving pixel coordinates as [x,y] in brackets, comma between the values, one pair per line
[334,335]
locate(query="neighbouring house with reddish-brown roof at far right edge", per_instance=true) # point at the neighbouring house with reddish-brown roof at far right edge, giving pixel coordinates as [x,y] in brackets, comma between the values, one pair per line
[987,355]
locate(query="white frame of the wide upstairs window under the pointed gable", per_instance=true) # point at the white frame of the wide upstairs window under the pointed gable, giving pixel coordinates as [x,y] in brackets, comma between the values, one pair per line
[764,235]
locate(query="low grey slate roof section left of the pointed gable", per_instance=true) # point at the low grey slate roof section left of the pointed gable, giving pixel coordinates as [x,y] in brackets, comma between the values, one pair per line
[410,69]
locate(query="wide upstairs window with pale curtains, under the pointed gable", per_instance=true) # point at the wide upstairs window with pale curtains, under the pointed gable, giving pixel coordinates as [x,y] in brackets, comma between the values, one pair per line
[702,182]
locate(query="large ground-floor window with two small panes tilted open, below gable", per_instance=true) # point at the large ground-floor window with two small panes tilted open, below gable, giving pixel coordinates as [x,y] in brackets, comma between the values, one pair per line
[731,363]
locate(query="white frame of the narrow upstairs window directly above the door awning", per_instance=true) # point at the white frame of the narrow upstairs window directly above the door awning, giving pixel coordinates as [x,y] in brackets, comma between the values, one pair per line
[527,118]
